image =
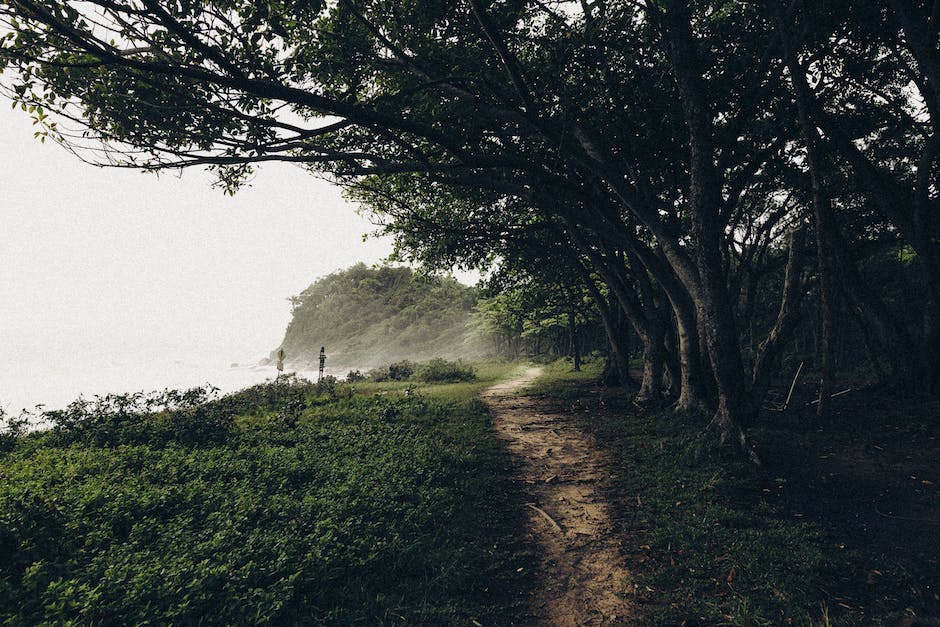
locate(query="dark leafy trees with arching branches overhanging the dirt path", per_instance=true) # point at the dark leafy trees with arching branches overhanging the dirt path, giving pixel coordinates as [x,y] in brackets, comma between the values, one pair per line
[723,179]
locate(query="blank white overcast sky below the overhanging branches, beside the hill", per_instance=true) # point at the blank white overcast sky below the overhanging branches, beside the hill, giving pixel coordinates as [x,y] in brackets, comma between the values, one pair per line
[114,261]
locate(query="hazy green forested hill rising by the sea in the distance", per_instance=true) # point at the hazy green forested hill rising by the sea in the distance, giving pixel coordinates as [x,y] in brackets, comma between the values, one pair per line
[366,317]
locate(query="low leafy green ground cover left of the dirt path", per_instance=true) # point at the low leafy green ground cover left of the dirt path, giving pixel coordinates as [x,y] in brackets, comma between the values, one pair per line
[285,503]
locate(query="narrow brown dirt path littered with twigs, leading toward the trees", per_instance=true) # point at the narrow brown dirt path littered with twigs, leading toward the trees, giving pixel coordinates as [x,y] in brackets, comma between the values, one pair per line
[582,575]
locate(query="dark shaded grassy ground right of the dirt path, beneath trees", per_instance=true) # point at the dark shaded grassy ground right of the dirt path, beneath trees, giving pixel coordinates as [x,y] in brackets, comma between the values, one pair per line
[715,542]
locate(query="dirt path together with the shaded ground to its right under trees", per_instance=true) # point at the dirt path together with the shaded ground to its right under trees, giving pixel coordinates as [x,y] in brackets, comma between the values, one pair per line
[838,527]
